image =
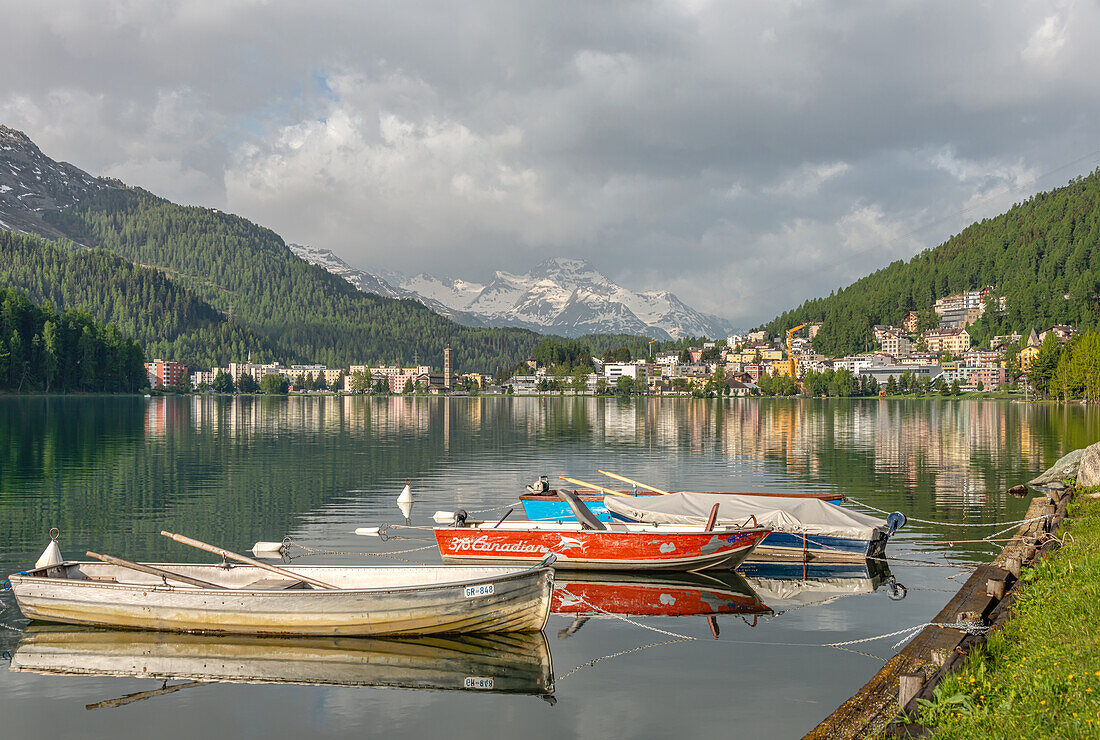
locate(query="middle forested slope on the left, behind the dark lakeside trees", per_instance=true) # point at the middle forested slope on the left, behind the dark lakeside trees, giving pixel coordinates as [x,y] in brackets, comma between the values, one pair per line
[141,303]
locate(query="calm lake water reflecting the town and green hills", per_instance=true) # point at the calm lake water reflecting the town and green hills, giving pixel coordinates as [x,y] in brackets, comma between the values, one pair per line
[111,473]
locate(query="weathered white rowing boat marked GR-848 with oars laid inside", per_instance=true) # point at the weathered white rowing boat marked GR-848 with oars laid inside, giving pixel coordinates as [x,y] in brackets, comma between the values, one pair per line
[248,600]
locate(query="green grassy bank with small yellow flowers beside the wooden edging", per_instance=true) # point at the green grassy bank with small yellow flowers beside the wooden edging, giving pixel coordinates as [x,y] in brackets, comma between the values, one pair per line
[1040,676]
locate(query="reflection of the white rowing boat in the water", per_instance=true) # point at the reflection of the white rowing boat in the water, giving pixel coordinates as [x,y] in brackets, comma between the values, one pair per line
[503,664]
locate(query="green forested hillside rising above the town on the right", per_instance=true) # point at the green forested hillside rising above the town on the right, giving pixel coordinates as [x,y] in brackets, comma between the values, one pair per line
[1043,257]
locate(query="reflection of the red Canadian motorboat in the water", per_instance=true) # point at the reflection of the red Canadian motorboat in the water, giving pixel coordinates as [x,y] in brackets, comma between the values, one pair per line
[710,595]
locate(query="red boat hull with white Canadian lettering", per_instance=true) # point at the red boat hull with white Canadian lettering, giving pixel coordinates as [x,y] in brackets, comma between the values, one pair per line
[615,550]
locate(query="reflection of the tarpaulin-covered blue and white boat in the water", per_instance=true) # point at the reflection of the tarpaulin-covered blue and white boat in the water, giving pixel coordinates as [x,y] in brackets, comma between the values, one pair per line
[789,586]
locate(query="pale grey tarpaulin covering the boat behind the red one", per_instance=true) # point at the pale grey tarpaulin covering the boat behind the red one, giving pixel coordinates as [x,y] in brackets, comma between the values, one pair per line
[797,516]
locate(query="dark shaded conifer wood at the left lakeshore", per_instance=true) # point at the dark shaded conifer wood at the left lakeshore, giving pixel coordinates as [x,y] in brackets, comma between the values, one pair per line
[42,350]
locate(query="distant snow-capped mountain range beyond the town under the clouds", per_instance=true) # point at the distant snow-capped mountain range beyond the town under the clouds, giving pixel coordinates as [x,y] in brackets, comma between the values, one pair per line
[560,296]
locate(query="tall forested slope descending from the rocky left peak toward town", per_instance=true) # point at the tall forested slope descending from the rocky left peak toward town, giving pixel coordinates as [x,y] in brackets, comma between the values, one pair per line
[248,272]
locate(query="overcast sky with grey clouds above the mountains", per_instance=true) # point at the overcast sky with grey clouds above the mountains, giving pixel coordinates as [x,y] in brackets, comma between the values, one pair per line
[745,156]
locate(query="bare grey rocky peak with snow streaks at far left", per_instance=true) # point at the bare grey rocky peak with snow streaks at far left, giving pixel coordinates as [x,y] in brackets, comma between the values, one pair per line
[32,184]
